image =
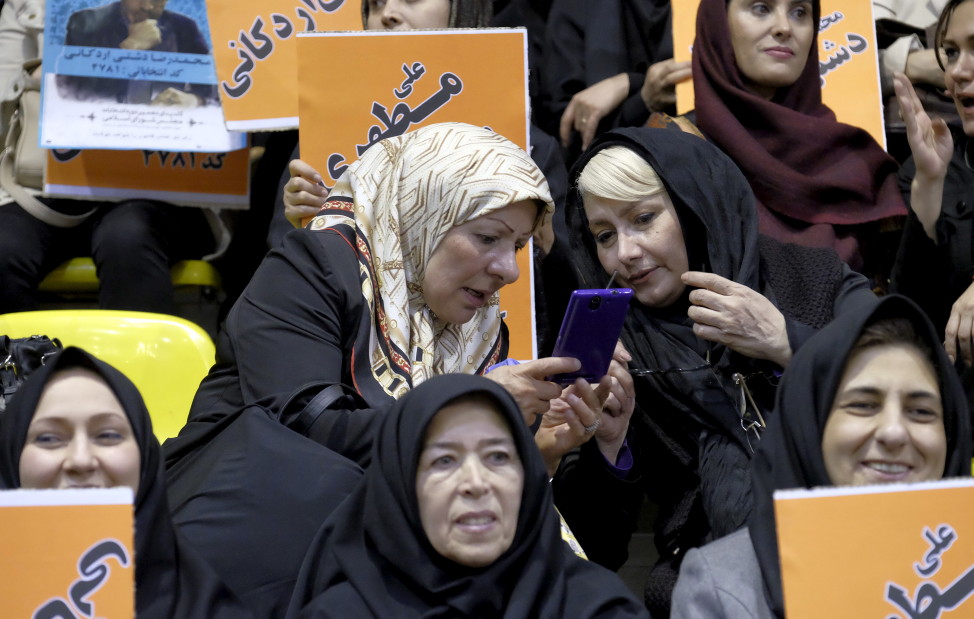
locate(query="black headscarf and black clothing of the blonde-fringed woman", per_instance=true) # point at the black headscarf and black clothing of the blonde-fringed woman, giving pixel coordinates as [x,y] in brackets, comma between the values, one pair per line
[687,418]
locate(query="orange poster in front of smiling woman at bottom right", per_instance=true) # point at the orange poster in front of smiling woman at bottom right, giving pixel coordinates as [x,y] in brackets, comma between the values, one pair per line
[891,551]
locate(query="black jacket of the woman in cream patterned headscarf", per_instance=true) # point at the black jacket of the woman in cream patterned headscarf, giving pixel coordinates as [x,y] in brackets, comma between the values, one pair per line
[304,302]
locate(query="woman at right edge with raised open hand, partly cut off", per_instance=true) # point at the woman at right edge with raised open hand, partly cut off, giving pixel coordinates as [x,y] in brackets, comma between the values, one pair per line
[934,265]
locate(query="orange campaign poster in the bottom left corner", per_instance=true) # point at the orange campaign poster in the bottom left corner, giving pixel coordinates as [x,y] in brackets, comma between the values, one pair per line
[67,553]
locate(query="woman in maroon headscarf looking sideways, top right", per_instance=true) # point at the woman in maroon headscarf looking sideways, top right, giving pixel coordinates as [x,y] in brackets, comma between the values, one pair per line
[817,182]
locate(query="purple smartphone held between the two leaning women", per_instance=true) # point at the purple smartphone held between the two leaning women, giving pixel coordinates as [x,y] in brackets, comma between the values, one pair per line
[590,330]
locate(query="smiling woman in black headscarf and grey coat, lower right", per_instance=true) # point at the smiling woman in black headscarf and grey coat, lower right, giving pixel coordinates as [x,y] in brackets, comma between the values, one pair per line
[883,390]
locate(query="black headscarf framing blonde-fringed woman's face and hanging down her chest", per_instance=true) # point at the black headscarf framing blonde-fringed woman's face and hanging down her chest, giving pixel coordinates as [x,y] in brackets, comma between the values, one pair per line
[715,207]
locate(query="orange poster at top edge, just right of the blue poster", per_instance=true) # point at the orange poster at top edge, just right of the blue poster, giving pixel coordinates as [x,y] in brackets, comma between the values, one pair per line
[256,55]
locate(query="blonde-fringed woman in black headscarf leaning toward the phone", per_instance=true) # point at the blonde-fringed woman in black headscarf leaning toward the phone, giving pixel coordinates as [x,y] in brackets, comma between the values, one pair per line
[720,311]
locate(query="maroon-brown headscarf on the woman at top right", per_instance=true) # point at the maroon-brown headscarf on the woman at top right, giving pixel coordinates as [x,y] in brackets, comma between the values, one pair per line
[810,173]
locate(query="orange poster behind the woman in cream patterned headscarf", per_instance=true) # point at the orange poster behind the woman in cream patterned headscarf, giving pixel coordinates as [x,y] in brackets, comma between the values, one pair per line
[393,82]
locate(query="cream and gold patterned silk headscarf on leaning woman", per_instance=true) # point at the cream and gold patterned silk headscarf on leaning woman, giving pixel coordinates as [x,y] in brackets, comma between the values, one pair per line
[401,198]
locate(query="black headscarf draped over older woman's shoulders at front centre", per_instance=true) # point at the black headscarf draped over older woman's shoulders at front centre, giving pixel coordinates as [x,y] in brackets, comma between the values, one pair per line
[372,556]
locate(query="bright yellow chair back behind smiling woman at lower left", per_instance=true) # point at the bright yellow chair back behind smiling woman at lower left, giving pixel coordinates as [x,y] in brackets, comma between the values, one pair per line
[165,356]
